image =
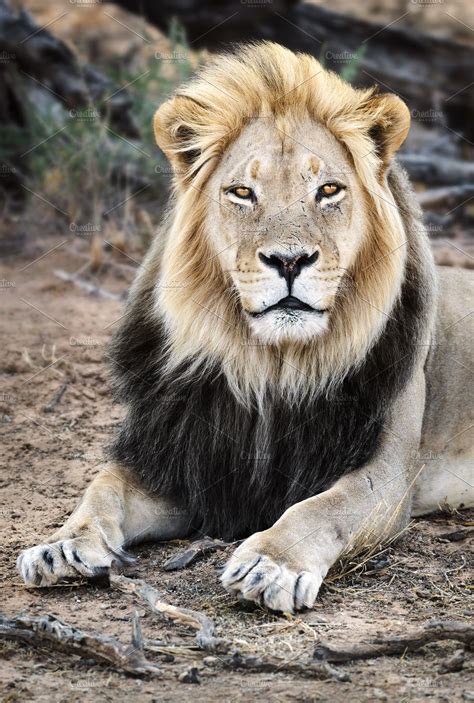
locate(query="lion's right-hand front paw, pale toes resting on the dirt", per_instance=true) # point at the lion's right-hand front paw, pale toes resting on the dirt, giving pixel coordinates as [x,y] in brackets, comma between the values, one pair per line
[256,577]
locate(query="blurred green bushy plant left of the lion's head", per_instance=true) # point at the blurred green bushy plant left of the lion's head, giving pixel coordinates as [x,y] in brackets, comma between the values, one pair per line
[77,161]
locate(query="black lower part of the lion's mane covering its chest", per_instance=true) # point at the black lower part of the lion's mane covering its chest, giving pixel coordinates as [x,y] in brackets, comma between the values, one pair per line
[237,470]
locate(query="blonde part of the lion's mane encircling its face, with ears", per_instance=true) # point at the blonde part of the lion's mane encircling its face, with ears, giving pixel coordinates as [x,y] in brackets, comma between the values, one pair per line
[195,297]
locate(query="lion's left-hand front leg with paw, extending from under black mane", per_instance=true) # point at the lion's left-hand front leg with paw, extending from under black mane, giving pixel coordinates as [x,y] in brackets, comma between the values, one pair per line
[113,513]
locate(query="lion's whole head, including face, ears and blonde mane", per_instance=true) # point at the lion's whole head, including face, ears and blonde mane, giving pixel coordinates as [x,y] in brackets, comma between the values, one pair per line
[284,229]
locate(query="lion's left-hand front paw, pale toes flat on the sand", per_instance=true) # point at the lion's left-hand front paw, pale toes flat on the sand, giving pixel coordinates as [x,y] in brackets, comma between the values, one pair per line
[47,564]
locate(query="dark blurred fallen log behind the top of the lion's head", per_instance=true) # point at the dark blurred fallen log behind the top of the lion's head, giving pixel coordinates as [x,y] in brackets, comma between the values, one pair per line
[430,73]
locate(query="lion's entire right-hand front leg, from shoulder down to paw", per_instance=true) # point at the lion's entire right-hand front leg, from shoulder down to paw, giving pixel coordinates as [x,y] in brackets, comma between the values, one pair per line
[283,567]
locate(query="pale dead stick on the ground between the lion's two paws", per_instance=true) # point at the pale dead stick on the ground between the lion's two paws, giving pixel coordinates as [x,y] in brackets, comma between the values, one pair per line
[190,618]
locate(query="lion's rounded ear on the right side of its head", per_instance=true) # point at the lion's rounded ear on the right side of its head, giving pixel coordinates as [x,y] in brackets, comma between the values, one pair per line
[389,123]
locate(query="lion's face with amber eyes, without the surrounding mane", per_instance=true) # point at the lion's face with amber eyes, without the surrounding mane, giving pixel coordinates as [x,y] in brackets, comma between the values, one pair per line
[282,222]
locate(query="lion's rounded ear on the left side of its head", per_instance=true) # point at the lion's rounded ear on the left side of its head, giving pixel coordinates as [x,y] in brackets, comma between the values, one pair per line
[175,132]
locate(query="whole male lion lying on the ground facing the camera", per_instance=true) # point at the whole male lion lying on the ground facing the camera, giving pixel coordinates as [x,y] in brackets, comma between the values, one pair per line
[291,360]
